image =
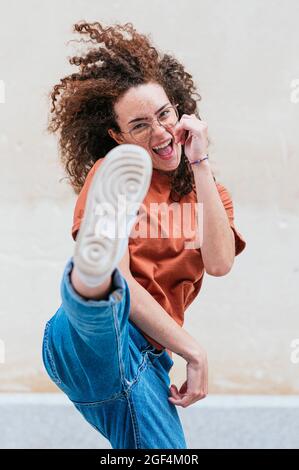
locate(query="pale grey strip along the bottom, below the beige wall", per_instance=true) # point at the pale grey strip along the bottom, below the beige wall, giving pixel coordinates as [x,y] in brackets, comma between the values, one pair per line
[49,421]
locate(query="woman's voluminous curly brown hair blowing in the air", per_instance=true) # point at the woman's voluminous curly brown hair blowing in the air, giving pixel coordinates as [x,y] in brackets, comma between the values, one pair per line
[83,102]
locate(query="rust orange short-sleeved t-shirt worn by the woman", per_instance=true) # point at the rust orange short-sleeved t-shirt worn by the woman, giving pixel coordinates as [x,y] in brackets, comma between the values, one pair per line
[161,263]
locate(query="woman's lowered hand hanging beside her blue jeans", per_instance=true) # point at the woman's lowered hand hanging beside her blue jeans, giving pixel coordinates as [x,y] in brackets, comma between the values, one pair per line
[196,386]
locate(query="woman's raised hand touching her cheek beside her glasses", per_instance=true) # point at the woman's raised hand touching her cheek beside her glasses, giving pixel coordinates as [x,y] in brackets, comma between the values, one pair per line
[193,134]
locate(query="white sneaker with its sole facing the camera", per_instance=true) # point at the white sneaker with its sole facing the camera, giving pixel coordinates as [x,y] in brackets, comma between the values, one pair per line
[117,190]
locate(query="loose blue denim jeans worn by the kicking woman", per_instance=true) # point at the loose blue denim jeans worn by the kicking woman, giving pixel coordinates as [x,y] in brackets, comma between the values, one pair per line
[114,377]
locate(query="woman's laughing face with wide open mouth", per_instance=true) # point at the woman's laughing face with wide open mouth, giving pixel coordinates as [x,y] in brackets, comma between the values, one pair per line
[144,101]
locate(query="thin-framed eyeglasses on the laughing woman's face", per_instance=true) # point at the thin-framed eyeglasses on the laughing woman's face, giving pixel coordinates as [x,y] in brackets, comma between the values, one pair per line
[167,118]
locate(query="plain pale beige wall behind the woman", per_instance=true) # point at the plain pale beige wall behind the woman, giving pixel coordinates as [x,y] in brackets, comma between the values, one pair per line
[244,58]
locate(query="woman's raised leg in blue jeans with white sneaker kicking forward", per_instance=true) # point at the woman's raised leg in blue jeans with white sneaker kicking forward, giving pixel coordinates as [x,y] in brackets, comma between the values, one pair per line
[86,342]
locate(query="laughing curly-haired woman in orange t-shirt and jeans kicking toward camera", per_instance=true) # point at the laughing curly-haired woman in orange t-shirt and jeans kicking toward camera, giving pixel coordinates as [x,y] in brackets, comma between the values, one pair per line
[129,127]
